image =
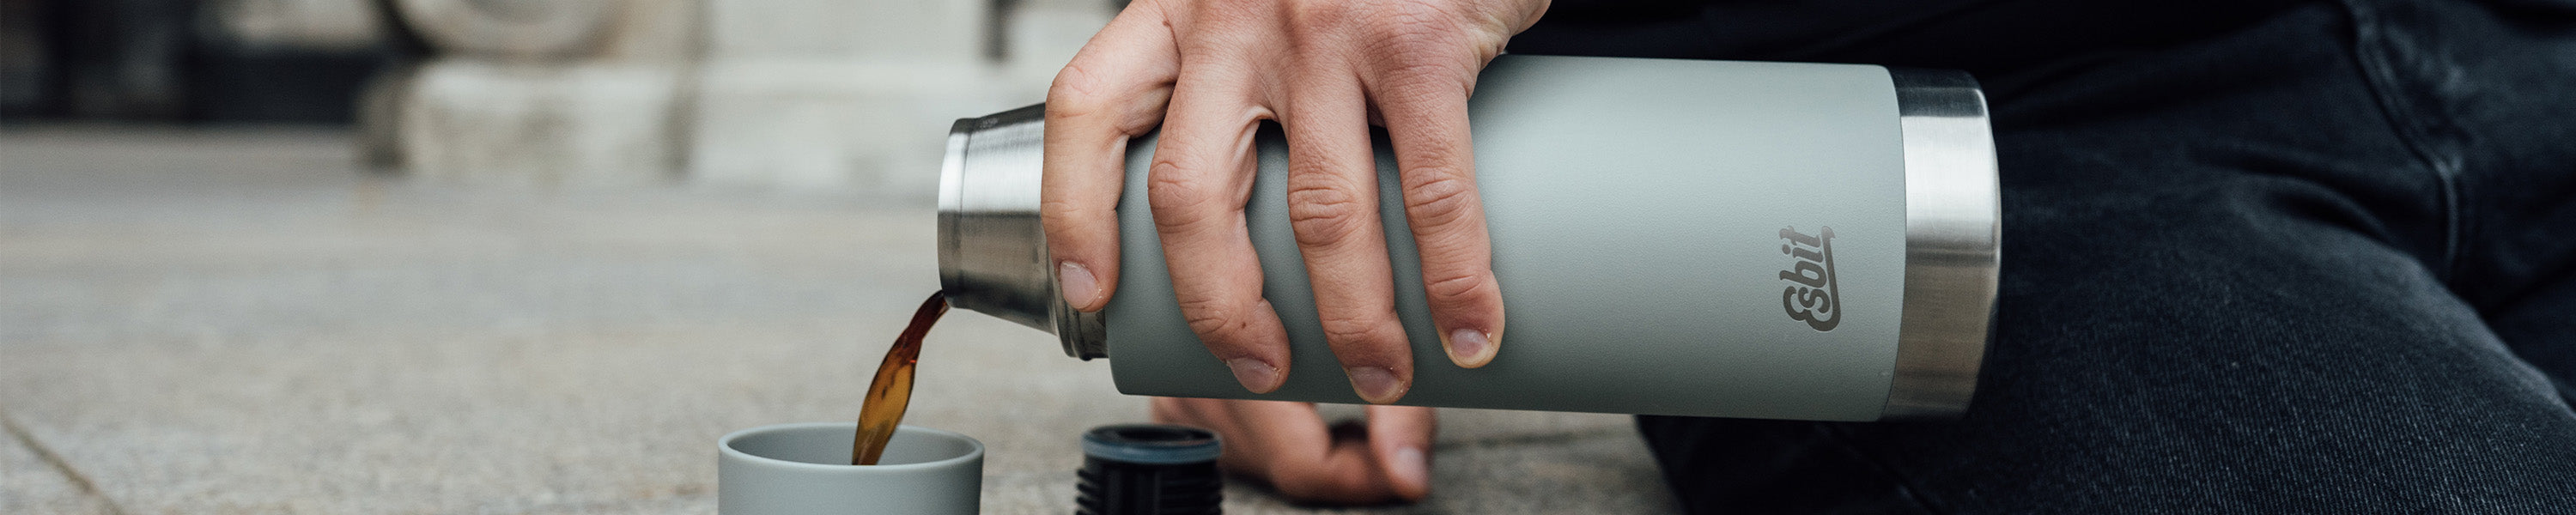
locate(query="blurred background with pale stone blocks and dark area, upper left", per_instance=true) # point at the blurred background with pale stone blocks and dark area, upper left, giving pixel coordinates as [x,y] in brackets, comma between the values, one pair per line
[756,94]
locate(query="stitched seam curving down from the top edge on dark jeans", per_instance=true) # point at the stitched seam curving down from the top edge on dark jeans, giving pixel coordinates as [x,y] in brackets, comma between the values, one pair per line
[2387,89]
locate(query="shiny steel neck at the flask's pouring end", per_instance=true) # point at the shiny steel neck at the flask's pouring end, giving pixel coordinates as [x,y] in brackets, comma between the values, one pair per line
[993,246]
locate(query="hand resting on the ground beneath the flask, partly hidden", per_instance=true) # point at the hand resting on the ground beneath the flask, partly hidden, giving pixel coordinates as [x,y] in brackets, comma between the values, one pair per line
[1289,447]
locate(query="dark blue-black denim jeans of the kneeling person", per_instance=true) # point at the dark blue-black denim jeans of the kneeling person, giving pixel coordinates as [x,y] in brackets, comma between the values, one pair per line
[2320,264]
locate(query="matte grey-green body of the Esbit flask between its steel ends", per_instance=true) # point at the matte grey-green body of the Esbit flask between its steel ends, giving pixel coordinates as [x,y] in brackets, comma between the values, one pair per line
[1637,212]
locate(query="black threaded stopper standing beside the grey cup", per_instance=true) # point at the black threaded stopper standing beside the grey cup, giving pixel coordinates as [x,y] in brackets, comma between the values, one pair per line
[1150,470]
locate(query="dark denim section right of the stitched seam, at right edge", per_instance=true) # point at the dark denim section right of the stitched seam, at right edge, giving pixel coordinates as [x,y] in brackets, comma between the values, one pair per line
[2500,94]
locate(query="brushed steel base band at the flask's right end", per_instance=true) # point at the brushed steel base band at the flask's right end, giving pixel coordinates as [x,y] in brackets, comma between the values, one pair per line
[1954,243]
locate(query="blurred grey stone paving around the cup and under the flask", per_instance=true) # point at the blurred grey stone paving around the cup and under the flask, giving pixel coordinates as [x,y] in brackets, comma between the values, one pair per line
[243,323]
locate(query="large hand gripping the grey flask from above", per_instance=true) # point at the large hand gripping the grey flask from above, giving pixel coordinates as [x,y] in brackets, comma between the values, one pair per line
[1209,73]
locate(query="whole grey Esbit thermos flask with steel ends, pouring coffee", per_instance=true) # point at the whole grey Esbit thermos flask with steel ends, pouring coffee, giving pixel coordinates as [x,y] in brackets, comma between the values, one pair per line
[1673,238]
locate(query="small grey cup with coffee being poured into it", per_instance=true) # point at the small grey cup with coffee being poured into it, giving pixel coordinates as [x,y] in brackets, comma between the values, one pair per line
[800,470]
